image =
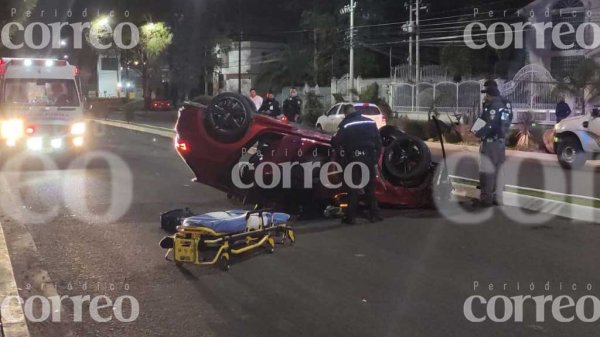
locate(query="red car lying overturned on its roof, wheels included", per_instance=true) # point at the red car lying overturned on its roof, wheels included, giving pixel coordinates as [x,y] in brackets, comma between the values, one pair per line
[224,140]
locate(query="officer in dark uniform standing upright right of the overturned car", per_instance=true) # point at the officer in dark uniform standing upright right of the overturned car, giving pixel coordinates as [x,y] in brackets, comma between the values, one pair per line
[493,146]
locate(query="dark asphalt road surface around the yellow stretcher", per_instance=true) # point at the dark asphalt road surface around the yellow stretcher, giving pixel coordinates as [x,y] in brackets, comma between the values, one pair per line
[407,276]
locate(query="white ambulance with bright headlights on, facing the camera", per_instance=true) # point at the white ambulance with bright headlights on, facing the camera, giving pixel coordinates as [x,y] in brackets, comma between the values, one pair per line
[40,105]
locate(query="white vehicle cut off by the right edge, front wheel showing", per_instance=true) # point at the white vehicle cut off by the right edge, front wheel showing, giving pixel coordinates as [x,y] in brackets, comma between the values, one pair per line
[577,139]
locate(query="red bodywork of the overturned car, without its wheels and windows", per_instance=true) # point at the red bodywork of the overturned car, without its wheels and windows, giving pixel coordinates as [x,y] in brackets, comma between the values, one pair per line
[212,161]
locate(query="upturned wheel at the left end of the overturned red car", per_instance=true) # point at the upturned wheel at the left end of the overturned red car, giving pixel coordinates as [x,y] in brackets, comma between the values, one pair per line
[228,117]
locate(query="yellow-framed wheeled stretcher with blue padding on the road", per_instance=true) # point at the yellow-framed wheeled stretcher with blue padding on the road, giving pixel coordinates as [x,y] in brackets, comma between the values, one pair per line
[212,238]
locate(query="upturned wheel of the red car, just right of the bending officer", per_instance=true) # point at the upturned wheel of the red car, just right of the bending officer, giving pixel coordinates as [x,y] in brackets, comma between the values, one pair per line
[407,158]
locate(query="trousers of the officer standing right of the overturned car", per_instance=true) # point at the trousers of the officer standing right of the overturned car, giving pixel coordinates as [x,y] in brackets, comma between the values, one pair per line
[493,155]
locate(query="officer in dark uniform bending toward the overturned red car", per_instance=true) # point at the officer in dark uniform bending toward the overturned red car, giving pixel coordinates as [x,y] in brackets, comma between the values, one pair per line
[358,140]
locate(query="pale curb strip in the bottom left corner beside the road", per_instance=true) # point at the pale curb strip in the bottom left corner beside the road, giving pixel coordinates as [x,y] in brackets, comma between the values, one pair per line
[17,327]
